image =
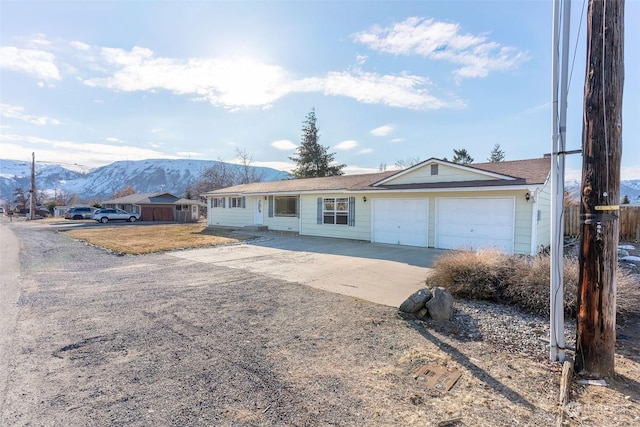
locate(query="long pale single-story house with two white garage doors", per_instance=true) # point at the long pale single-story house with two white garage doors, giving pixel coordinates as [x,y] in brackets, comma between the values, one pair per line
[432,204]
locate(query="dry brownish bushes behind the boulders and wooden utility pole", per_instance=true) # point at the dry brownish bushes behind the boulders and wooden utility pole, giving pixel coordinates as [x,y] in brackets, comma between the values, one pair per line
[493,276]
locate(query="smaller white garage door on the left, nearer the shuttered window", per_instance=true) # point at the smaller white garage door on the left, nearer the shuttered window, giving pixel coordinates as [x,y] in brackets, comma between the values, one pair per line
[400,221]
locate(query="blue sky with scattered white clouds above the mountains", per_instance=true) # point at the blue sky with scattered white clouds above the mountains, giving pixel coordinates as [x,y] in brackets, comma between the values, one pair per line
[89,83]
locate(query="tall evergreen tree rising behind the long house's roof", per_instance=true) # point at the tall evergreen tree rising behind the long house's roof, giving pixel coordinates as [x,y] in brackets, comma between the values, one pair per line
[313,160]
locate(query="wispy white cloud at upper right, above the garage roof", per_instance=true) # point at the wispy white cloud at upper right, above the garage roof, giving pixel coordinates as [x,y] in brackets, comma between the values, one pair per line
[475,55]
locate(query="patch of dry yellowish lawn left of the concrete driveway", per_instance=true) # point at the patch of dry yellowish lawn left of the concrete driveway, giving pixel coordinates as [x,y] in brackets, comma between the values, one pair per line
[135,240]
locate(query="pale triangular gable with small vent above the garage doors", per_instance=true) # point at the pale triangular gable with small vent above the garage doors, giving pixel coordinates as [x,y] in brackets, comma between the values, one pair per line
[437,171]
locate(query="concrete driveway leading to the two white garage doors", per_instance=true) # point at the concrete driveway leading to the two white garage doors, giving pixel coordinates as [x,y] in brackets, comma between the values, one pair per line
[384,274]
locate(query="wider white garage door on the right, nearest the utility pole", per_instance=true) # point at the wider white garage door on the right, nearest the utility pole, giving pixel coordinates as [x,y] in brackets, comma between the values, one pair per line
[466,223]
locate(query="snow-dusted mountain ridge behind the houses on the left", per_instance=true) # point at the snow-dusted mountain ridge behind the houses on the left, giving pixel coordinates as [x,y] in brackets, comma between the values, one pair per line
[146,176]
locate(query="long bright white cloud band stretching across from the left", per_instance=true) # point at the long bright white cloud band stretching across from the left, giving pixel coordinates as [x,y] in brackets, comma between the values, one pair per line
[231,83]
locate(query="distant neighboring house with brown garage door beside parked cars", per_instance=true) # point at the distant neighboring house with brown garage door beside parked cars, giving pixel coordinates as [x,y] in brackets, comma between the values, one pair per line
[158,207]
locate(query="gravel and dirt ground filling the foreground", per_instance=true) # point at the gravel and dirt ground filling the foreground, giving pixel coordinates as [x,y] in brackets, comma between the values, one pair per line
[108,340]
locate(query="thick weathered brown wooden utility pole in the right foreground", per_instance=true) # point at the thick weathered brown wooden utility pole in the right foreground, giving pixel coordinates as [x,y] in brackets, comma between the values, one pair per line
[602,151]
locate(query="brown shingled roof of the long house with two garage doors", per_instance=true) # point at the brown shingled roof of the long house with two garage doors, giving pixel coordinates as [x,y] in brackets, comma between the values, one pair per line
[508,173]
